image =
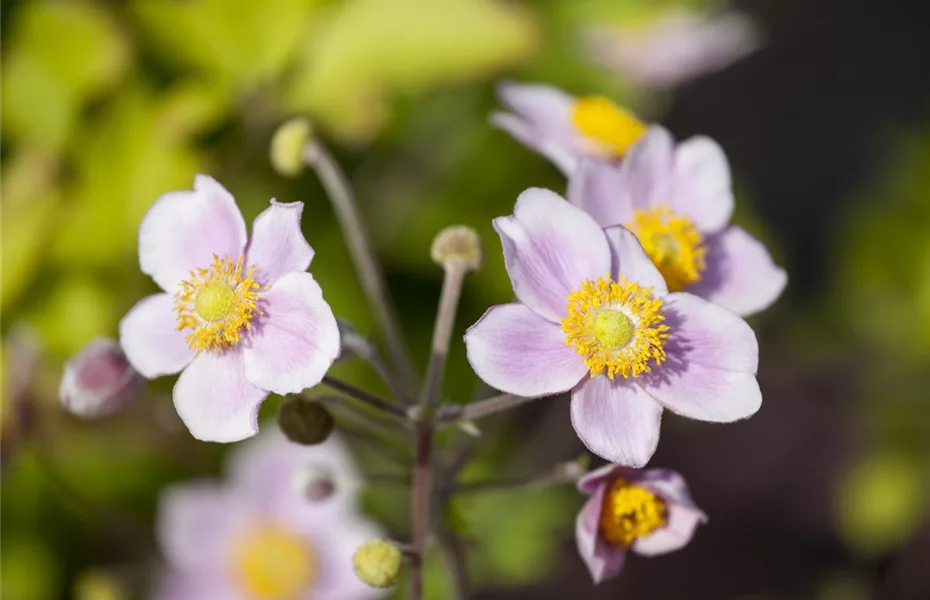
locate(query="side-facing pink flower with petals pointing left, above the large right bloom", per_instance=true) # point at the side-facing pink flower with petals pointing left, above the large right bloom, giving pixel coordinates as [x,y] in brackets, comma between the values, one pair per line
[563,128]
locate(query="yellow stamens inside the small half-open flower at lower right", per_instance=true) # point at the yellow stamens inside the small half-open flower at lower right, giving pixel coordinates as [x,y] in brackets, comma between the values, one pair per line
[629,512]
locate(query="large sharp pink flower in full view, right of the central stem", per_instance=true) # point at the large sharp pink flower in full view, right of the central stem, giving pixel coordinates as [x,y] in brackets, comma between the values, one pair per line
[595,317]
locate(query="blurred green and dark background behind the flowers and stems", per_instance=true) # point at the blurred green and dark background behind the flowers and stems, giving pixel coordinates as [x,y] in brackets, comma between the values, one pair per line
[821,106]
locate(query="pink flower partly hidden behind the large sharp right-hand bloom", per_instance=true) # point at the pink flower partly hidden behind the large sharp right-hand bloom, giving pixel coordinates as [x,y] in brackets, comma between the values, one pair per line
[678,201]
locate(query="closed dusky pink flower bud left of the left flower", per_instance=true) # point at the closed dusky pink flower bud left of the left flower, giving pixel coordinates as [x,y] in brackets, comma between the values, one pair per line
[99,381]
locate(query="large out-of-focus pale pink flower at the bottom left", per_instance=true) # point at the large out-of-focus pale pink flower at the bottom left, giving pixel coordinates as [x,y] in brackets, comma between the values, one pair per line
[253,536]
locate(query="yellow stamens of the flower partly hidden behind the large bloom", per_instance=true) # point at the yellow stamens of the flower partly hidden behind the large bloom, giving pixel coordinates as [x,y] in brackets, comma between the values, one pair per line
[673,243]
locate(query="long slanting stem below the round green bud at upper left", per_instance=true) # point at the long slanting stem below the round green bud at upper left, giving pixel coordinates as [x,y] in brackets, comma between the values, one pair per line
[369,271]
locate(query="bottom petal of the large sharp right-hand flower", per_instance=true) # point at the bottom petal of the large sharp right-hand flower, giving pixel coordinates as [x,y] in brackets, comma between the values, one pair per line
[616,420]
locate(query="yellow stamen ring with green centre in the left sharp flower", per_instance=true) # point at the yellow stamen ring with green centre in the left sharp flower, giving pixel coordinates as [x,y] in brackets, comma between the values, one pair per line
[217,303]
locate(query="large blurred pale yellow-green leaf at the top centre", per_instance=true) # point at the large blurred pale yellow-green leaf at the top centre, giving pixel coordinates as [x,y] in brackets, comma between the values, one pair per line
[368,50]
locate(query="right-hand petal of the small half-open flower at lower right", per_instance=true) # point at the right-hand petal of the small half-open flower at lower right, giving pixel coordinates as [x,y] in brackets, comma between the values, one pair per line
[683,515]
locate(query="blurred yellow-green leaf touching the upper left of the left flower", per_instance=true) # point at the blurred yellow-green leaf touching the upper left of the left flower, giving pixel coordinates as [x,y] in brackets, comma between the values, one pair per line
[146,135]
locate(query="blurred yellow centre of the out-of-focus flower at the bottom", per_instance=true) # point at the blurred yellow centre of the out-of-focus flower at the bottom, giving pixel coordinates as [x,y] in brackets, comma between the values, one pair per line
[271,563]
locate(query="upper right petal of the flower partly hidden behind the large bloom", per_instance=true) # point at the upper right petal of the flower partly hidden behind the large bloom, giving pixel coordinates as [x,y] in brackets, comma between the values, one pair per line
[702,190]
